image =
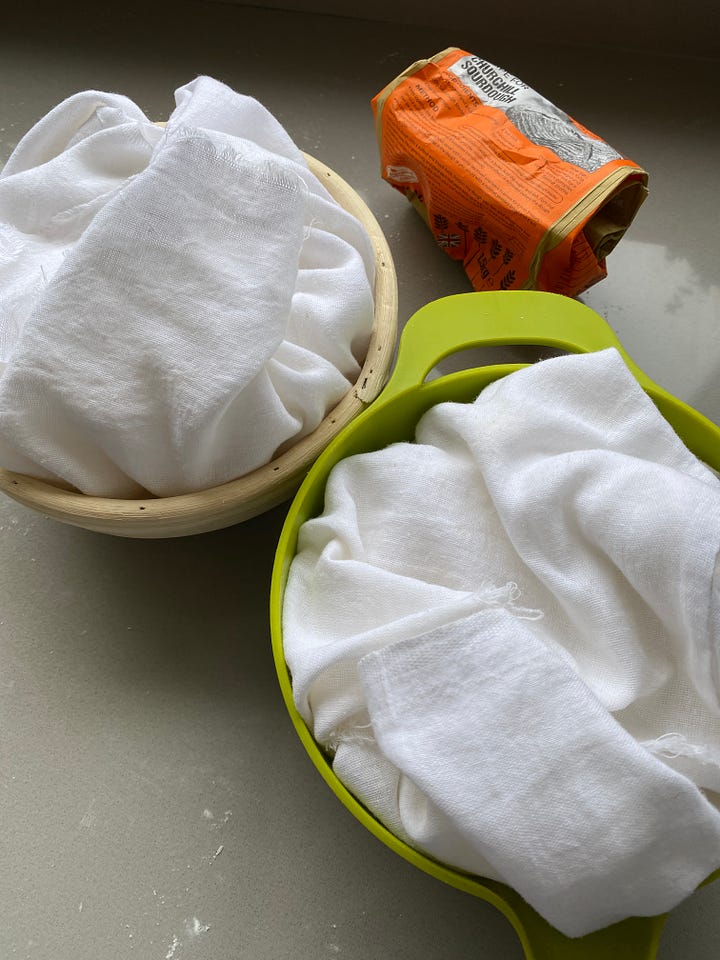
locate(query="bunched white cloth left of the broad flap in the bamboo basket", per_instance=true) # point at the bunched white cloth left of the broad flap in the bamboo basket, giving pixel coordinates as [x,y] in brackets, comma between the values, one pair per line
[63,171]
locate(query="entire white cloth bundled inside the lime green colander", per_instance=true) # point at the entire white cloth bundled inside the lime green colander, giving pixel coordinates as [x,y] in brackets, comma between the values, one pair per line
[508,635]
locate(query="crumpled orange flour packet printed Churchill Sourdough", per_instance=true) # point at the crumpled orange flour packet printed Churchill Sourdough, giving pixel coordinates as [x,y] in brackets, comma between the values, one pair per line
[522,194]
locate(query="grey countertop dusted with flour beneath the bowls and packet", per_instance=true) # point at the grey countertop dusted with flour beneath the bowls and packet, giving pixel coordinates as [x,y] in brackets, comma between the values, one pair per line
[154,799]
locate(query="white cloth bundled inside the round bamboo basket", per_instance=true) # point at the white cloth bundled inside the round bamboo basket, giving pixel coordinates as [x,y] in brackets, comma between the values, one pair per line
[175,305]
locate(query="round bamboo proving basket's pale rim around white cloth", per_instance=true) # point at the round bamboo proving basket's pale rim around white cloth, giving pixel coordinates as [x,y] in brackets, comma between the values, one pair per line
[269,485]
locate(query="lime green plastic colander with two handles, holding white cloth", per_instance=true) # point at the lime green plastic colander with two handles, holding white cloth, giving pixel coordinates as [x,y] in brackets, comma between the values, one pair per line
[437,330]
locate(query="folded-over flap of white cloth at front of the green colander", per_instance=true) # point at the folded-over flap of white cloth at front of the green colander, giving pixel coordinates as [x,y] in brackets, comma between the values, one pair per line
[513,747]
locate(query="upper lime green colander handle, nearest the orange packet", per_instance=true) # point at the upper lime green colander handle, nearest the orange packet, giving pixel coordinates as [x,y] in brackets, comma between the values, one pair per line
[455,323]
